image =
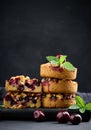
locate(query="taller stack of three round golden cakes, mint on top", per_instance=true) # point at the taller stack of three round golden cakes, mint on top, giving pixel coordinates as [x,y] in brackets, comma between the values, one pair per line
[58,86]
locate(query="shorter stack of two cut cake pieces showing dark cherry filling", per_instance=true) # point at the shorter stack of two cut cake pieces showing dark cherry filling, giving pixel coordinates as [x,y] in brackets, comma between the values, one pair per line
[22,92]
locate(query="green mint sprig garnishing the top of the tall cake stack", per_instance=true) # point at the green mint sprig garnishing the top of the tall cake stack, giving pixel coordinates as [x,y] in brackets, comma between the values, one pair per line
[60,62]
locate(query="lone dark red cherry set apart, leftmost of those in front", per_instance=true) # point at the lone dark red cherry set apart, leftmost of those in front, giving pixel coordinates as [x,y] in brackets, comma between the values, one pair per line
[39,115]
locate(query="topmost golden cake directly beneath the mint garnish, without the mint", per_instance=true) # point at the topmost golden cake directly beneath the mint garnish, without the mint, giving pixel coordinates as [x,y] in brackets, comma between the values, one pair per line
[47,70]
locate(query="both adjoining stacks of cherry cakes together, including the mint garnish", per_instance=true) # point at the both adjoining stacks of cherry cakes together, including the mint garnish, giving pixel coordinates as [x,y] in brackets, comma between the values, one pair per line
[57,88]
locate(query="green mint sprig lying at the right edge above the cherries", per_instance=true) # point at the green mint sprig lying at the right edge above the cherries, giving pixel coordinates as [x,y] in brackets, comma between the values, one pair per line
[80,104]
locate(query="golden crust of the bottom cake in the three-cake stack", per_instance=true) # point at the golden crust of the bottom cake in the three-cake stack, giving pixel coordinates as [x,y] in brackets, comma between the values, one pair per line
[59,102]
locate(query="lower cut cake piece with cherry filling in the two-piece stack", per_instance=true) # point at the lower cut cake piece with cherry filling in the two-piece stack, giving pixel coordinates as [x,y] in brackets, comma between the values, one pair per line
[22,100]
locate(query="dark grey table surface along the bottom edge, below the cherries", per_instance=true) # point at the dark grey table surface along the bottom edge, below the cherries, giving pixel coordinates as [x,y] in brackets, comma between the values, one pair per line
[51,125]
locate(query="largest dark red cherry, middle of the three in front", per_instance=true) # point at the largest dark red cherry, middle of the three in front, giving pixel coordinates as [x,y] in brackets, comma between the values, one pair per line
[63,117]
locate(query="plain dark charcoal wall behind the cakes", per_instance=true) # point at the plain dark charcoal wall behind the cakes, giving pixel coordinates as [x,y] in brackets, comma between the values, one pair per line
[29,31]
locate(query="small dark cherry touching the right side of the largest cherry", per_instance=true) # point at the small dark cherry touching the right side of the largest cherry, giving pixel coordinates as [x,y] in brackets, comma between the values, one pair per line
[75,119]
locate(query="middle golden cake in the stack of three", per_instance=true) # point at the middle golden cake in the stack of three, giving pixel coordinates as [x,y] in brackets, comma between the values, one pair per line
[59,86]
